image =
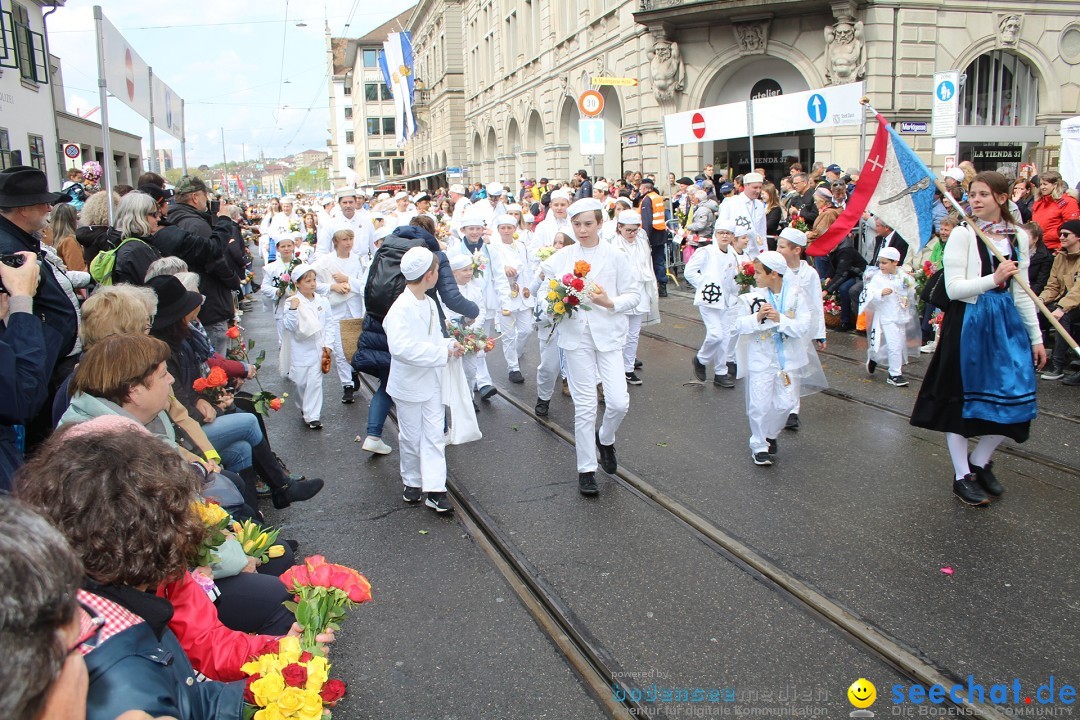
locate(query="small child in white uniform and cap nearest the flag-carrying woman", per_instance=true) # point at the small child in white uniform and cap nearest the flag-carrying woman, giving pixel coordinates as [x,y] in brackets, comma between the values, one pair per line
[890,296]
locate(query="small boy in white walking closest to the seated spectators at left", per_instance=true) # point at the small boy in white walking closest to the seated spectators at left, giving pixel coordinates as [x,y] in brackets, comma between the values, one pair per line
[307,338]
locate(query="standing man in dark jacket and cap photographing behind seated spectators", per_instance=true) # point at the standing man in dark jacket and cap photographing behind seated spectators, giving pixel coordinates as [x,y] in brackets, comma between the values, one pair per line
[219,282]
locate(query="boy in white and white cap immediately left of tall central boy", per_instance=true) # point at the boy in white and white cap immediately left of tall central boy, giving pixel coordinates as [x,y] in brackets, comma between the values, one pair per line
[516,321]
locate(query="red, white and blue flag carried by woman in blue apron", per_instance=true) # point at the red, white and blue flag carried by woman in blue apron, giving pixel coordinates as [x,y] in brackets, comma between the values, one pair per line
[895,185]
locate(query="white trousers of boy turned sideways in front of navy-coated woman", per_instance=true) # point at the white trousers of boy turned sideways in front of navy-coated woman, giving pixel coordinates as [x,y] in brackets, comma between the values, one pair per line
[422,443]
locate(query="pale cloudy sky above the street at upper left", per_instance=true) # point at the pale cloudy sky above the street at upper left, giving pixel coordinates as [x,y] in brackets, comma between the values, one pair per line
[240,65]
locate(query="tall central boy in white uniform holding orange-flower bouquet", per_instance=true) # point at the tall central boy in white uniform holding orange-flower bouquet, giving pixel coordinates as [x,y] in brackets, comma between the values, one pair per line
[592,342]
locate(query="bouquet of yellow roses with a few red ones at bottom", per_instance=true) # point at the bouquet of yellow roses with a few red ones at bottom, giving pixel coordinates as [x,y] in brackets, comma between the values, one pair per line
[287,682]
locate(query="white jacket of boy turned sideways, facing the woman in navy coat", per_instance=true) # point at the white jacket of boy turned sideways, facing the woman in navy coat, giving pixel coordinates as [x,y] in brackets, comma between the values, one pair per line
[418,350]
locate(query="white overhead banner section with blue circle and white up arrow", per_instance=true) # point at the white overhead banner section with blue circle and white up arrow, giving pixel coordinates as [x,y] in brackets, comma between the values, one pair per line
[827,107]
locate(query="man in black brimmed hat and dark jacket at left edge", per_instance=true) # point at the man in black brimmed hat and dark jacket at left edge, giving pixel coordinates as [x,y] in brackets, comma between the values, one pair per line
[25,203]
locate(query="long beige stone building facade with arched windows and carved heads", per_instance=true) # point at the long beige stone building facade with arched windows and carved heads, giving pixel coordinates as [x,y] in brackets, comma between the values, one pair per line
[524,64]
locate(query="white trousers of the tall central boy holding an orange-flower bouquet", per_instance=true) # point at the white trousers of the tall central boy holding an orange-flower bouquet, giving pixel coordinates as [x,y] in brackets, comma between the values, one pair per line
[585,368]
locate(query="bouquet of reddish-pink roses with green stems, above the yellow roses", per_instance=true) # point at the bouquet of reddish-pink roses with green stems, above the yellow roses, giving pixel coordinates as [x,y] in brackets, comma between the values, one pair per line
[323,593]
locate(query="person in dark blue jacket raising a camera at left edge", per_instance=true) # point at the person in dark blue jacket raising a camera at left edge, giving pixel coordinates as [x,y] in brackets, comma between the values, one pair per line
[24,377]
